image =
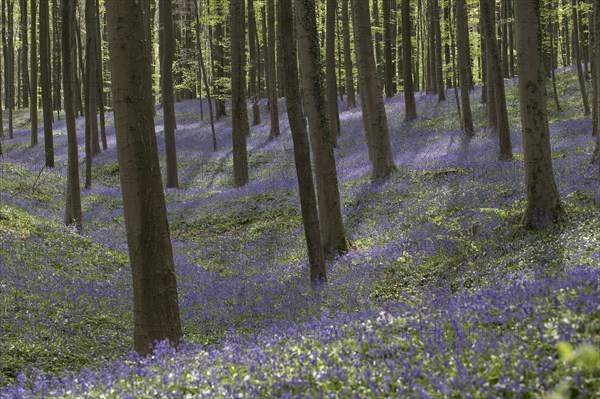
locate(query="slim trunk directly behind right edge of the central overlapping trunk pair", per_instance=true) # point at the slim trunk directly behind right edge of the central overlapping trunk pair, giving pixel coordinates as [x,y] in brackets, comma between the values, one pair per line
[330,81]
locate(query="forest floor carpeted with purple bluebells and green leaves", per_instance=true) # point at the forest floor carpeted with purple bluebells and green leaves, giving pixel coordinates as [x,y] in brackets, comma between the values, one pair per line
[443,293]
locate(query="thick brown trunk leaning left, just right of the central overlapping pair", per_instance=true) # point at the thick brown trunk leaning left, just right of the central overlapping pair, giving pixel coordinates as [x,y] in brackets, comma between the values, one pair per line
[374,116]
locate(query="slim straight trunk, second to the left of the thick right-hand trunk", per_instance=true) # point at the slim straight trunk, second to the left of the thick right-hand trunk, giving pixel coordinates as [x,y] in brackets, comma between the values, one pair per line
[463,64]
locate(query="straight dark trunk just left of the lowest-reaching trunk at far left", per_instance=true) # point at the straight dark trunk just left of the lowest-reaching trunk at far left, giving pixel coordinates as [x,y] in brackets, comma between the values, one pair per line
[45,82]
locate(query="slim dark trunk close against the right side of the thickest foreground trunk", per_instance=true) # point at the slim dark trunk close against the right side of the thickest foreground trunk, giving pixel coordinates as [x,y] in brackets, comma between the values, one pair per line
[168,102]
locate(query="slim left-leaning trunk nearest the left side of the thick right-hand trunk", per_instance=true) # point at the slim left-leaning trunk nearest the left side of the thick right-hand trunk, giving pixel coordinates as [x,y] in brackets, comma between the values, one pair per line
[497,80]
